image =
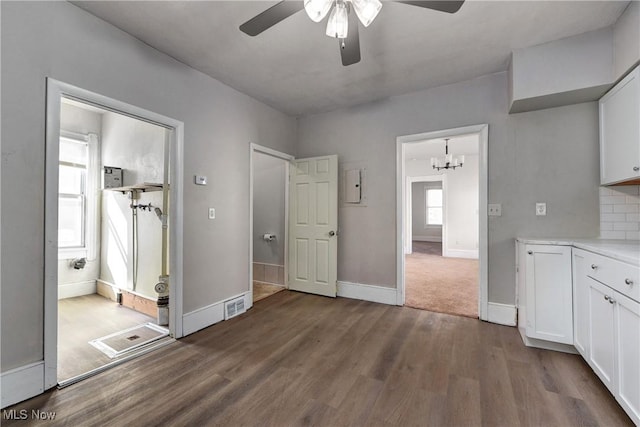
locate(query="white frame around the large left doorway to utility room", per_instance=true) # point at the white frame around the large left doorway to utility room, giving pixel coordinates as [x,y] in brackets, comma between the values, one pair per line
[55,91]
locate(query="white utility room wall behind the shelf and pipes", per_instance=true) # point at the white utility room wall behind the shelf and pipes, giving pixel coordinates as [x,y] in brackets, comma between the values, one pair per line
[136,147]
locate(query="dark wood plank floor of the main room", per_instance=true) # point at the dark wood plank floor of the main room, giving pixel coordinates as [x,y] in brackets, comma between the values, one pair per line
[298,359]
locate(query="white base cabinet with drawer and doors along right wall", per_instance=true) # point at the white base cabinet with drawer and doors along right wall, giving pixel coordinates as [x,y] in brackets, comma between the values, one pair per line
[607,324]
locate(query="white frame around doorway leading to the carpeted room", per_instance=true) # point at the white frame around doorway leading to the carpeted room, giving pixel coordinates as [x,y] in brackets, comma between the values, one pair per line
[483,131]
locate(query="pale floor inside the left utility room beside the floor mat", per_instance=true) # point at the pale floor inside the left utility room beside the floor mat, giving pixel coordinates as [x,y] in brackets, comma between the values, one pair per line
[85,318]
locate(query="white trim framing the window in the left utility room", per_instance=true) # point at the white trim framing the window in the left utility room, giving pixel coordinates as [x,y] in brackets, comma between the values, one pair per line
[92,189]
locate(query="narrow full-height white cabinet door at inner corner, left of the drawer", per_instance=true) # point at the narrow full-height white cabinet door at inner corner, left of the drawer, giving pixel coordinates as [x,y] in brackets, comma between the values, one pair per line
[580,303]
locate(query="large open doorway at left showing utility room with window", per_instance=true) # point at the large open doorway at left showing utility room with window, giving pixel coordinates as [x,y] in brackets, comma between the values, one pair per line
[109,217]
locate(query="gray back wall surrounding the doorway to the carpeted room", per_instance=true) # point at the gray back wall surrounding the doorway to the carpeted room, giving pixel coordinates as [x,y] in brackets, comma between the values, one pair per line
[549,155]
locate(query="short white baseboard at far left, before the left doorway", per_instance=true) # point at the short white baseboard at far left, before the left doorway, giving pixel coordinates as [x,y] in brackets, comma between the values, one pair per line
[22,383]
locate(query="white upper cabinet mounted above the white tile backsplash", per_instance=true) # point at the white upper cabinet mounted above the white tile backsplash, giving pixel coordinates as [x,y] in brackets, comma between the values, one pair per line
[620,132]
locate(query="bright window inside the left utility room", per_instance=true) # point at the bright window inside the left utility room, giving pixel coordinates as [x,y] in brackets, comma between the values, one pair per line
[76,196]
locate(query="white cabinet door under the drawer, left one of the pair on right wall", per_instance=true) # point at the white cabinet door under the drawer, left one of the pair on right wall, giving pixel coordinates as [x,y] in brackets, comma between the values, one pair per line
[601,333]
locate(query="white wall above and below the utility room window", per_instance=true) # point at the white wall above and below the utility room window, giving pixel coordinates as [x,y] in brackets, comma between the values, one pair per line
[78,120]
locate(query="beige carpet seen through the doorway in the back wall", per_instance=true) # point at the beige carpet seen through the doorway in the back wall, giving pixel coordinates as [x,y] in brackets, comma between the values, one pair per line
[443,285]
